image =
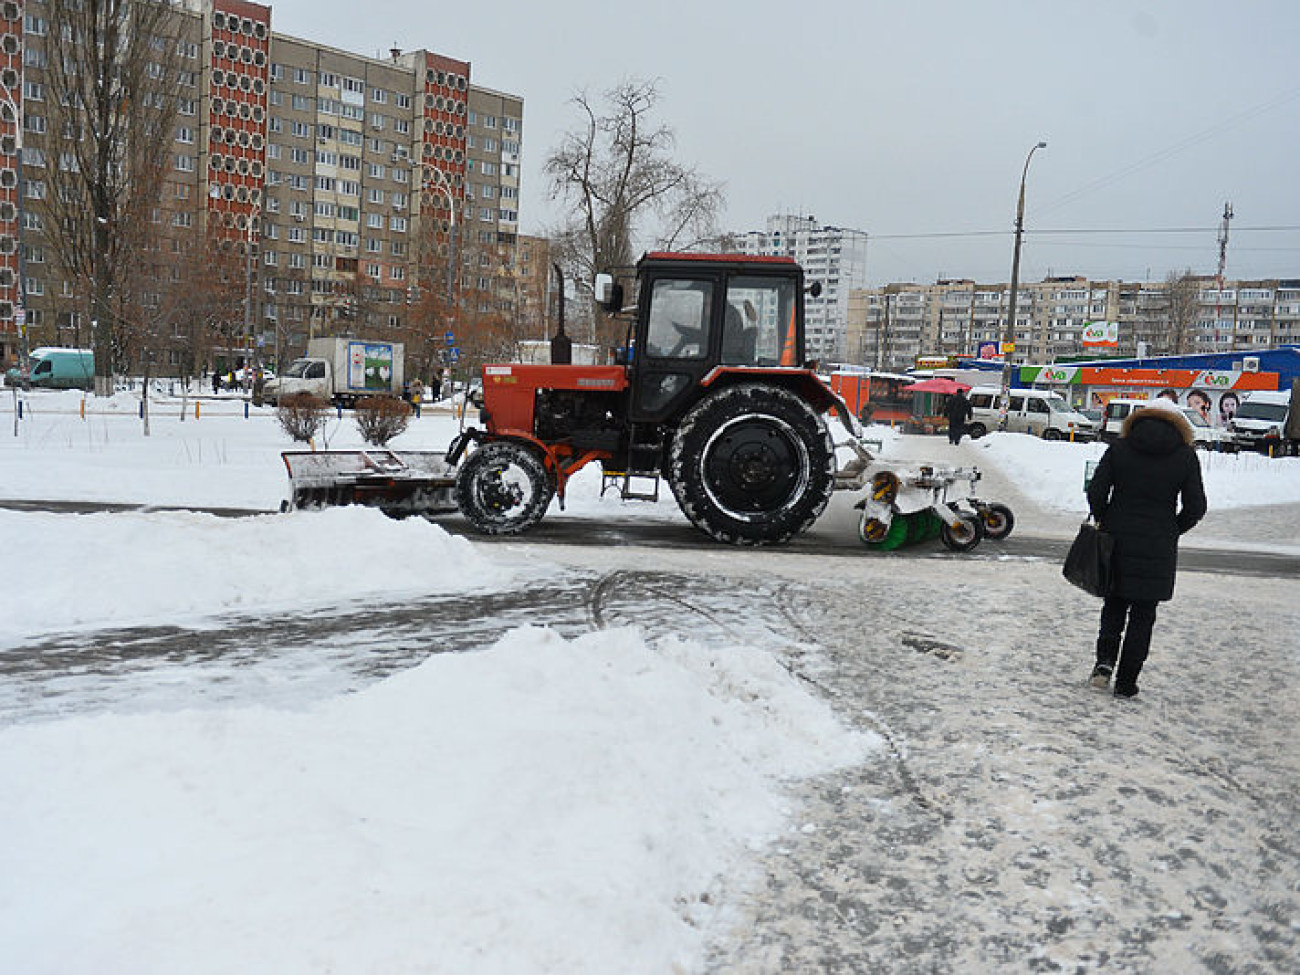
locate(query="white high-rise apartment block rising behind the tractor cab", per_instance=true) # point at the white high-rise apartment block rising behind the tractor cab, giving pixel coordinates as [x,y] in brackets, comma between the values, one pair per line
[831,255]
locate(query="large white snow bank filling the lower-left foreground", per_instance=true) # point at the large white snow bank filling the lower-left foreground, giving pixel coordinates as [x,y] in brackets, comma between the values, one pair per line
[544,805]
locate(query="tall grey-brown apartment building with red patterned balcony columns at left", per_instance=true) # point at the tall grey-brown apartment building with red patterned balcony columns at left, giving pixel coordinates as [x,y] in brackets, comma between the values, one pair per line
[344,190]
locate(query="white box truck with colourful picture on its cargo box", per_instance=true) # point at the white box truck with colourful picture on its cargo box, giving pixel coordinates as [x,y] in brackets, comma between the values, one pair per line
[343,371]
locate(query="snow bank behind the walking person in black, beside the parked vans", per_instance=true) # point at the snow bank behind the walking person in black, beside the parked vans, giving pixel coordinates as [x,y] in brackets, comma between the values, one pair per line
[1052,473]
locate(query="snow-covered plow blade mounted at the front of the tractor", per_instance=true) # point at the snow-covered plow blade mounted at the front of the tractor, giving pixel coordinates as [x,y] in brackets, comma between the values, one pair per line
[400,484]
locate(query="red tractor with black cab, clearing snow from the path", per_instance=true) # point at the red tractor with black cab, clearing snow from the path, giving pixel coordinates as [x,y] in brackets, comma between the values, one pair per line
[713,395]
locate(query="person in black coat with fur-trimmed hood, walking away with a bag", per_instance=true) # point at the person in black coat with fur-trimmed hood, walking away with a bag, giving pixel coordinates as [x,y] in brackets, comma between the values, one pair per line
[1146,493]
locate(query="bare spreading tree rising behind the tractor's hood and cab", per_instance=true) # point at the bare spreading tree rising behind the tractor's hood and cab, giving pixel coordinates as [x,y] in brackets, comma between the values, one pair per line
[621,176]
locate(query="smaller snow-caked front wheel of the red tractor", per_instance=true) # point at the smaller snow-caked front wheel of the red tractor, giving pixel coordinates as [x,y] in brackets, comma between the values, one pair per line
[504,488]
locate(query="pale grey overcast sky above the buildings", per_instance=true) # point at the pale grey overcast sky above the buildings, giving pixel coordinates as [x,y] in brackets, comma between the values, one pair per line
[913,118]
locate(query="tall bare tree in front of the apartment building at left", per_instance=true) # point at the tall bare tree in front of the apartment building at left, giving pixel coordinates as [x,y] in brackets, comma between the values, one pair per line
[112,71]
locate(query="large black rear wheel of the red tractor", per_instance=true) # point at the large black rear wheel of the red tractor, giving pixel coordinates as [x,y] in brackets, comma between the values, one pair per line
[752,465]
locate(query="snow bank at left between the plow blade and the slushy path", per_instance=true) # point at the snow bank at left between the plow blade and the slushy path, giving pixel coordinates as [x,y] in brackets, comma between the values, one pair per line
[81,571]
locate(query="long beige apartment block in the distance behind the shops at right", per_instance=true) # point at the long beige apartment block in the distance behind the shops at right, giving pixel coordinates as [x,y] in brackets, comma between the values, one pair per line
[890,327]
